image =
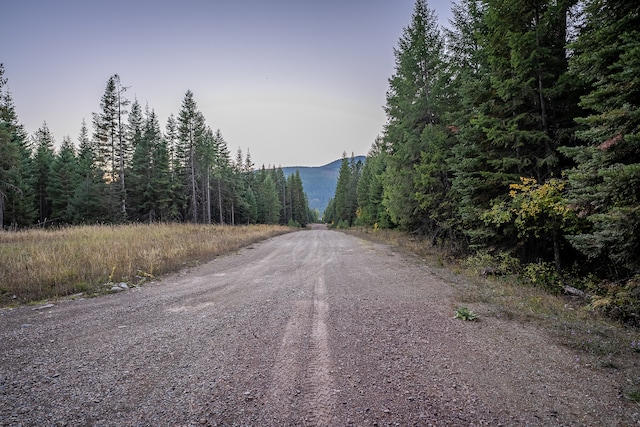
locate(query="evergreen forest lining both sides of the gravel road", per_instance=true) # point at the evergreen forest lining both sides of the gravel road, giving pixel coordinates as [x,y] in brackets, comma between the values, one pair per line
[512,137]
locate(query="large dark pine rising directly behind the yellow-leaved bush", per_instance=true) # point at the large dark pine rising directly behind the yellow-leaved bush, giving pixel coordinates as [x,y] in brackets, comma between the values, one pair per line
[522,114]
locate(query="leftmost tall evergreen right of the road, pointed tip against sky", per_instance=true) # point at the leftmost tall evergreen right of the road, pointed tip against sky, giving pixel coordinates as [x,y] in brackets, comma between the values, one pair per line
[413,103]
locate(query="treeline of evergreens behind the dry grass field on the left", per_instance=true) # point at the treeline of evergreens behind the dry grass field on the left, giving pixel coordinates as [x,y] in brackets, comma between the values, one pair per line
[128,170]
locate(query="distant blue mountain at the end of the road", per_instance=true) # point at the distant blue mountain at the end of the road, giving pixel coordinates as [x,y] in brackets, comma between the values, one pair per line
[319,182]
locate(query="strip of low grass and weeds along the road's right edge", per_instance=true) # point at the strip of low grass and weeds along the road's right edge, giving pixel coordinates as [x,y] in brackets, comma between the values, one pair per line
[573,319]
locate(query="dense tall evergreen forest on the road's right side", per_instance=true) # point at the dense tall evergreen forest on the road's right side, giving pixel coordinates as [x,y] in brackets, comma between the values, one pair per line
[513,137]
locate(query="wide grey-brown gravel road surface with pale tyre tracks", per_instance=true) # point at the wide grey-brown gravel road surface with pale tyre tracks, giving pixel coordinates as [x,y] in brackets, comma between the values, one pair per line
[309,328]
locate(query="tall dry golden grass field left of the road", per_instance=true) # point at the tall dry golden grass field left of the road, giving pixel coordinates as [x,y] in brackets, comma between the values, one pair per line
[39,264]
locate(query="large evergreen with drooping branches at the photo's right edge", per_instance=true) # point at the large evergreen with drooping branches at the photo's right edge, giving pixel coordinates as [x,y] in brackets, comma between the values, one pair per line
[605,184]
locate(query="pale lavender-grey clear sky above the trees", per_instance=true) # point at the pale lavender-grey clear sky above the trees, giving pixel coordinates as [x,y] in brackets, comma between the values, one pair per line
[295,82]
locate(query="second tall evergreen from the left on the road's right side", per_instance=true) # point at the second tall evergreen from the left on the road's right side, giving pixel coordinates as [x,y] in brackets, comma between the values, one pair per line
[473,186]
